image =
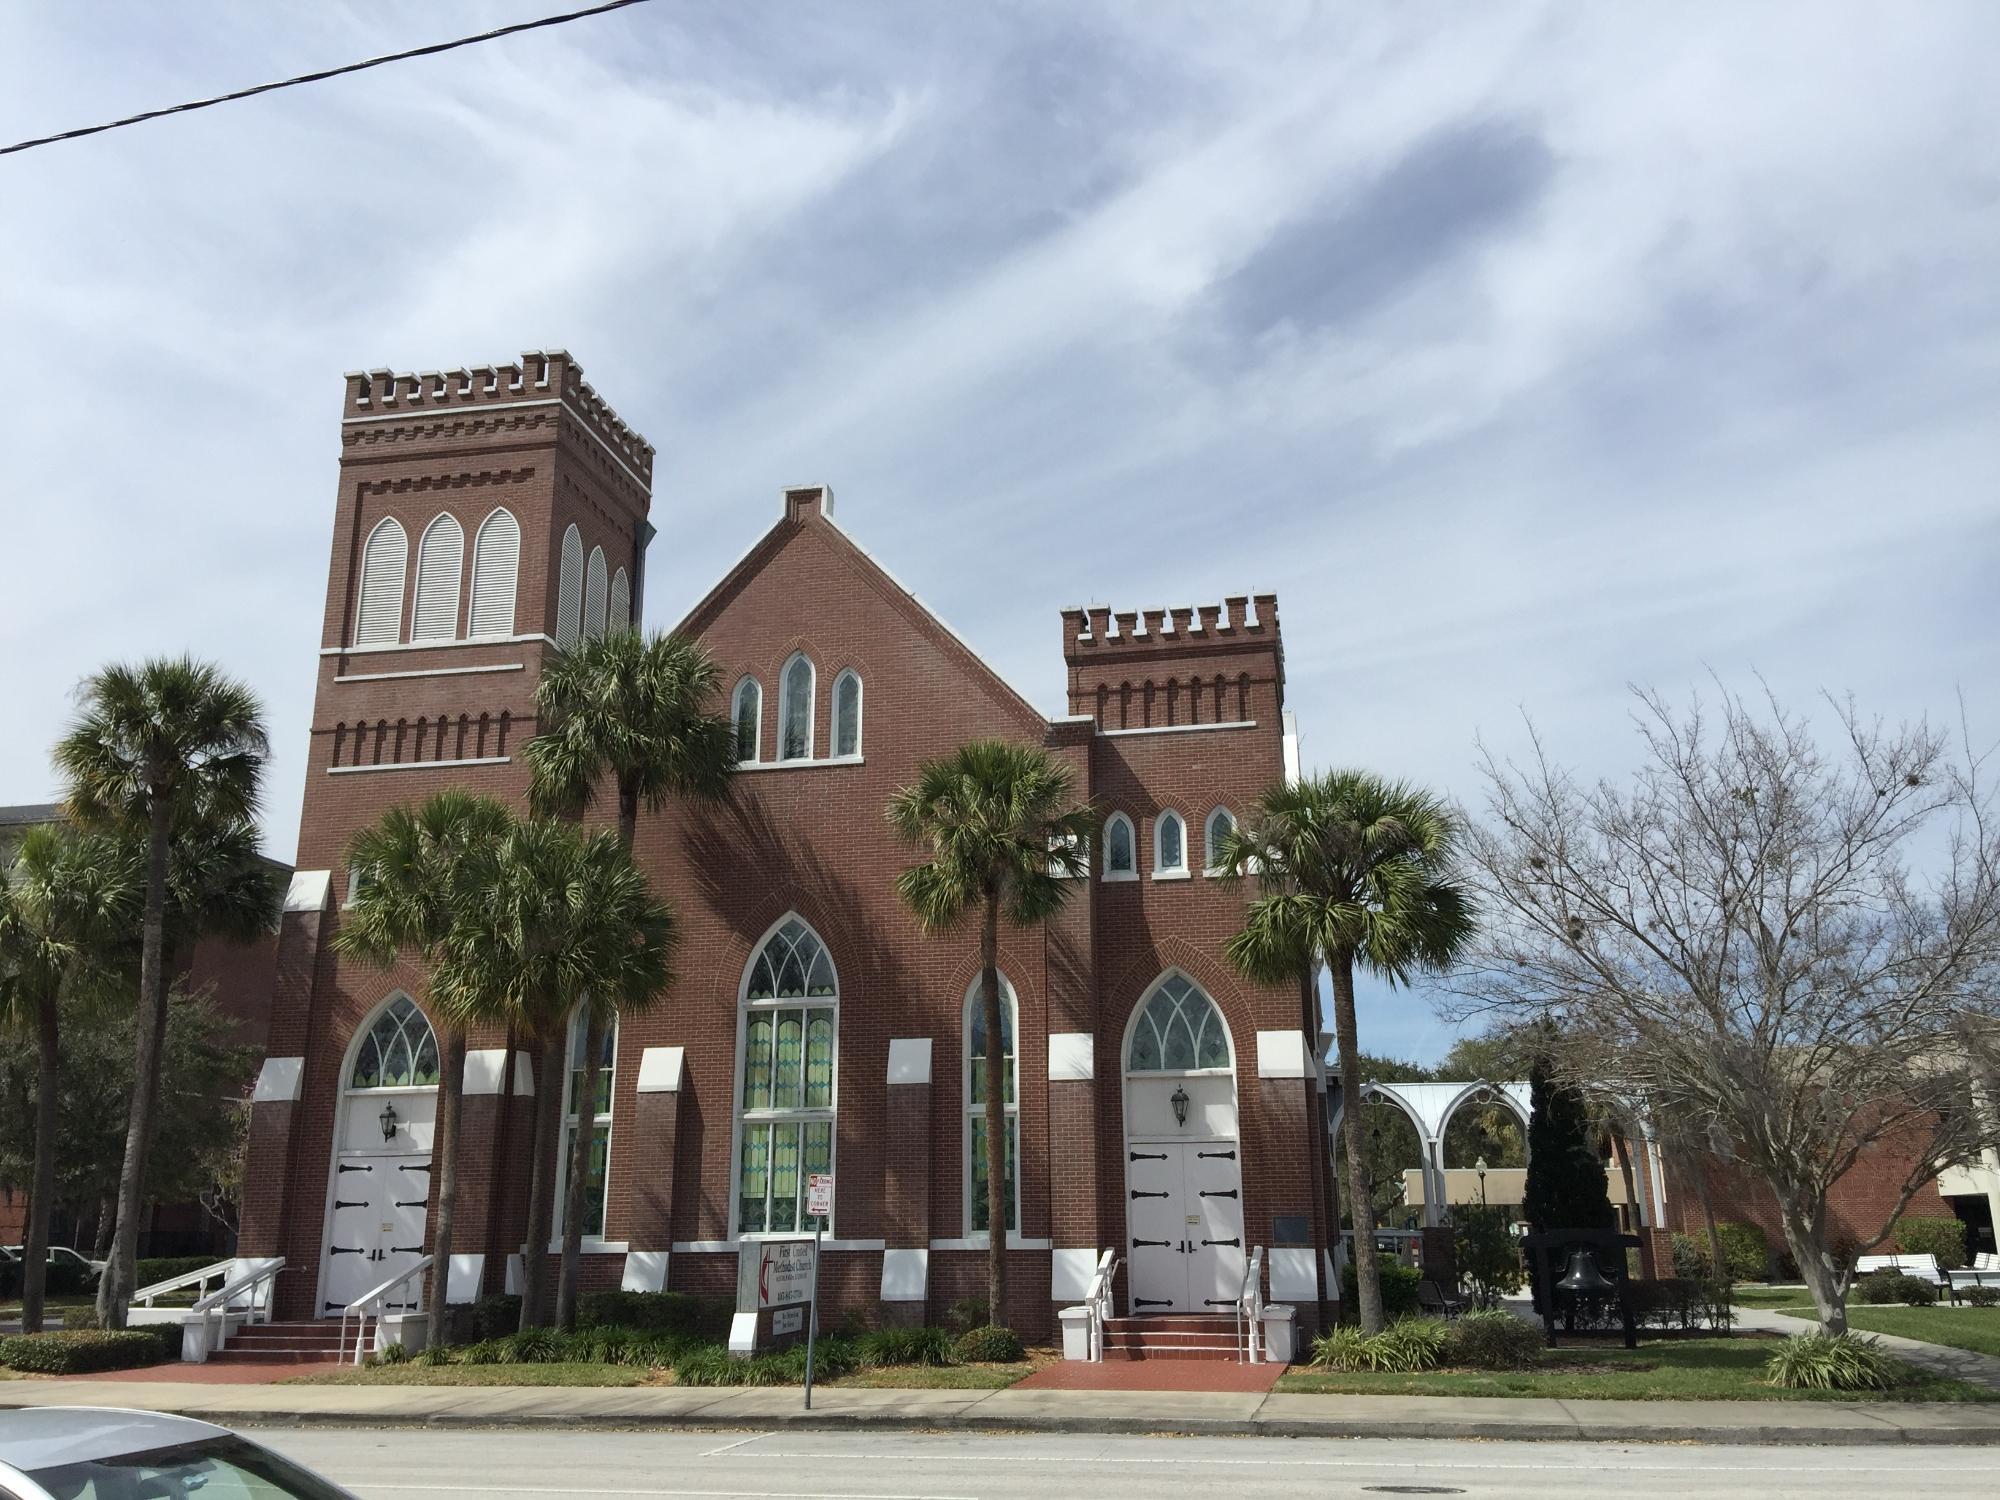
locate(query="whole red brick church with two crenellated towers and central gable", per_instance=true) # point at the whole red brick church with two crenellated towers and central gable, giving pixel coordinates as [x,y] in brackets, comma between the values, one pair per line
[1163,1107]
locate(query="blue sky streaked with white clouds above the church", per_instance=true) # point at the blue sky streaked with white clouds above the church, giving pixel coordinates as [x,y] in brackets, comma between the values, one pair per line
[1525,351]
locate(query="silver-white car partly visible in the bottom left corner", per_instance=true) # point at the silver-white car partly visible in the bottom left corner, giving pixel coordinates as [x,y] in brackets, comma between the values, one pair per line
[97,1453]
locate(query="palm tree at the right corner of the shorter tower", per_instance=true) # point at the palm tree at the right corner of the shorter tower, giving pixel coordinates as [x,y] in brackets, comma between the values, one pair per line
[1351,869]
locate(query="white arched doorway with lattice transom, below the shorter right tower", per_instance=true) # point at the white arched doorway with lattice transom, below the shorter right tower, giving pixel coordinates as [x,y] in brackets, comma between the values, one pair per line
[1185,1213]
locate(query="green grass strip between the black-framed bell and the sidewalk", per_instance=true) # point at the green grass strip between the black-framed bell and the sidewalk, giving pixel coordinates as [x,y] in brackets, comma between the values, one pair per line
[1697,1369]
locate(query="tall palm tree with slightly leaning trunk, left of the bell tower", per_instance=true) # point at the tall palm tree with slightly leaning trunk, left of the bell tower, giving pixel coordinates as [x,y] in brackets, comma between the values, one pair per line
[161,745]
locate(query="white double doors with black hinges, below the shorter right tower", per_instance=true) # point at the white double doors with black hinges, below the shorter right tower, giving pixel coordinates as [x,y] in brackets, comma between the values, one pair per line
[1185,1227]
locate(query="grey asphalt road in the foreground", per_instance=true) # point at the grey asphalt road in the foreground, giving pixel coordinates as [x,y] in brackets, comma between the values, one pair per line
[397,1465]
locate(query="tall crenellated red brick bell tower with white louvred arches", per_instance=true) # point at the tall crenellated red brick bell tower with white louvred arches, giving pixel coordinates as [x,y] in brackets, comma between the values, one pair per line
[483,519]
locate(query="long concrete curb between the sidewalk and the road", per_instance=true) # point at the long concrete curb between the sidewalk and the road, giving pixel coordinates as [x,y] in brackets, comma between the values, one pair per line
[1789,1435]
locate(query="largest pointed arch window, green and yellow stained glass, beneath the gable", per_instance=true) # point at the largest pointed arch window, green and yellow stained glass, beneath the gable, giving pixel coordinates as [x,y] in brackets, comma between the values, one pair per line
[785,1093]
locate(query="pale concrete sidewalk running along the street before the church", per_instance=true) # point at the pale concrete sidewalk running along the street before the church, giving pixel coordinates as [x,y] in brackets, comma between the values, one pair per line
[1037,1411]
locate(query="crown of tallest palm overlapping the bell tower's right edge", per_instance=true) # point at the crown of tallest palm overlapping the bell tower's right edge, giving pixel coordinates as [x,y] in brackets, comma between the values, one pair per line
[637,709]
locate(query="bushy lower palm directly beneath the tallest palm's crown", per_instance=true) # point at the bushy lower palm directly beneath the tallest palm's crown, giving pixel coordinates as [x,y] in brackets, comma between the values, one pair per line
[563,925]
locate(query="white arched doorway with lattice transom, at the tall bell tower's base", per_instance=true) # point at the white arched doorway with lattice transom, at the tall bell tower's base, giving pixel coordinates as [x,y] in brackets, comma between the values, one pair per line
[379,1185]
